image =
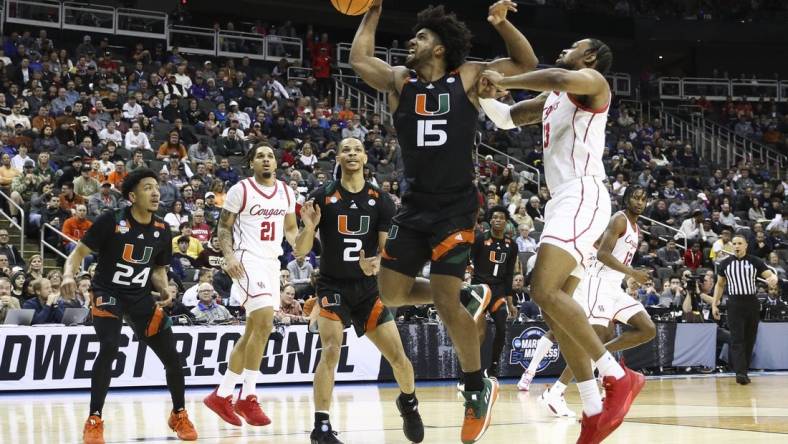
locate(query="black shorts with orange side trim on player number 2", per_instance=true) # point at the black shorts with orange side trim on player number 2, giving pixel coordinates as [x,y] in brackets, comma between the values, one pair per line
[353,302]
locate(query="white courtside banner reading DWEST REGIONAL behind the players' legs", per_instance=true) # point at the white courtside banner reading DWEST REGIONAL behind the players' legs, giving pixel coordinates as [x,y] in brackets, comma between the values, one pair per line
[57,357]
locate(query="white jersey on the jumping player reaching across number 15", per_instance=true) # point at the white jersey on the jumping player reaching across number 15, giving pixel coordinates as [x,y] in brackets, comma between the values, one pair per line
[573,139]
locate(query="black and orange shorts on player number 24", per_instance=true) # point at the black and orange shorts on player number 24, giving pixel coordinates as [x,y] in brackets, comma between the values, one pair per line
[145,318]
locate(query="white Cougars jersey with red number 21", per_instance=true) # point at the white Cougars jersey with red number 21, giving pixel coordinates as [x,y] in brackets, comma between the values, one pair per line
[260,225]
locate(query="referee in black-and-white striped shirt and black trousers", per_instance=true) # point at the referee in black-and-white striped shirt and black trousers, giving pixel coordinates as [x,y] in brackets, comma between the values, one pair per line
[739,272]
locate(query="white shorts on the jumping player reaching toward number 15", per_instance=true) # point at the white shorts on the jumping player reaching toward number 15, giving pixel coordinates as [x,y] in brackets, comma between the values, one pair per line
[576,216]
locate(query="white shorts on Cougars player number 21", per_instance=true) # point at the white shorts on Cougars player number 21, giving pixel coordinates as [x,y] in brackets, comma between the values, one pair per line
[259,287]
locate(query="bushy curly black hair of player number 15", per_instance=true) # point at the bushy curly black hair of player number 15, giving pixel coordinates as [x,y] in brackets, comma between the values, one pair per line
[453,33]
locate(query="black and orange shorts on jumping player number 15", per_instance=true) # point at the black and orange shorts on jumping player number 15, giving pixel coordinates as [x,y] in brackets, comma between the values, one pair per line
[445,244]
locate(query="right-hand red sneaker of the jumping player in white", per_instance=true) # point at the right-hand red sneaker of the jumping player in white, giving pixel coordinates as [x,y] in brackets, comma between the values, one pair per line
[619,396]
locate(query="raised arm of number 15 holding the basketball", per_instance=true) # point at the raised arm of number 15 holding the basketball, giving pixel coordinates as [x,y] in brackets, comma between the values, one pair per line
[372,70]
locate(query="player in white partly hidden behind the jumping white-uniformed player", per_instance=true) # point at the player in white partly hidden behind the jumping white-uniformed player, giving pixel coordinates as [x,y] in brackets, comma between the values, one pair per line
[601,296]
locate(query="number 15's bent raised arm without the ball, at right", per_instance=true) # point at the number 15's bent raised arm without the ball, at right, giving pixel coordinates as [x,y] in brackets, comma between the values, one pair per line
[521,55]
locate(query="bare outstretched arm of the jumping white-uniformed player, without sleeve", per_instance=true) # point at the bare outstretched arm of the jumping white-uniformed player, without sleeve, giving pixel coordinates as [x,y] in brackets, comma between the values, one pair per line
[583,82]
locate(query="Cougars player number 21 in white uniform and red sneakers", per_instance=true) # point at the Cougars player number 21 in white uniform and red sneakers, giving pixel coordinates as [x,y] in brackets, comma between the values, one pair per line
[258,213]
